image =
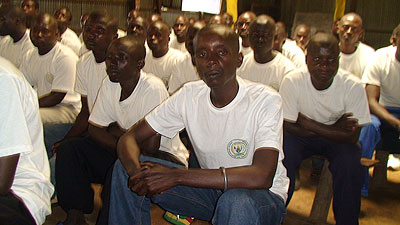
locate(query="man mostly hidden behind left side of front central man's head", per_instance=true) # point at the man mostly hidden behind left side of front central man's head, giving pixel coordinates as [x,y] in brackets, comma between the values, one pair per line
[186,70]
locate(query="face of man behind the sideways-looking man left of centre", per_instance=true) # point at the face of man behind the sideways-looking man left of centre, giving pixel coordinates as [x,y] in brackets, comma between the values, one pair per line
[96,34]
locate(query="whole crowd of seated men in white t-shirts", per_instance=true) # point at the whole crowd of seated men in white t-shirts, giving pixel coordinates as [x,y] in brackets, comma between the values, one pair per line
[110,107]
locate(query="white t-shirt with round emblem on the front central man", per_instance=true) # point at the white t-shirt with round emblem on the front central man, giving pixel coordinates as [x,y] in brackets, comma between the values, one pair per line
[226,136]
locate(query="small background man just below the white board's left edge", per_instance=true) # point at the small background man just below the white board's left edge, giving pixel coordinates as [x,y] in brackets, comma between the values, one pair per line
[180,28]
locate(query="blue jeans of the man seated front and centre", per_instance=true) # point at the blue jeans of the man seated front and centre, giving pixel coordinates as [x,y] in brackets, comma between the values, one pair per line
[235,206]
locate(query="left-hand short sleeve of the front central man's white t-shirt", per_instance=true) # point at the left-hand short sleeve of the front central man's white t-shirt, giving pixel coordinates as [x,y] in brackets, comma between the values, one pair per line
[167,118]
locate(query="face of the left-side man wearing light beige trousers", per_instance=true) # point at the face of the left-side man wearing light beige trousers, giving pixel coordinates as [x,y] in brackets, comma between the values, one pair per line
[44,33]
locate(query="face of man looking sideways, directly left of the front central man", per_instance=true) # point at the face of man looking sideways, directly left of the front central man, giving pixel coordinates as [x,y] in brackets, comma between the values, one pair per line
[120,62]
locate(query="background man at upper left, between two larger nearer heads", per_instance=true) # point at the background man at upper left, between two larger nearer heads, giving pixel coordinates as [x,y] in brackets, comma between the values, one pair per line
[68,36]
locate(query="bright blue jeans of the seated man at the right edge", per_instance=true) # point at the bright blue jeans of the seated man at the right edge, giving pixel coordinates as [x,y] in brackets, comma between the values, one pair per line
[370,136]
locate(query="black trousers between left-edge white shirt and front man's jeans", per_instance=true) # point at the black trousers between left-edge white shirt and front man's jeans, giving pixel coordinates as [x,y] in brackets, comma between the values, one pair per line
[80,162]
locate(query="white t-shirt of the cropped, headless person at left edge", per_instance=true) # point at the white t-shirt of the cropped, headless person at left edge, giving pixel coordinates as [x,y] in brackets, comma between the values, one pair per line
[21,133]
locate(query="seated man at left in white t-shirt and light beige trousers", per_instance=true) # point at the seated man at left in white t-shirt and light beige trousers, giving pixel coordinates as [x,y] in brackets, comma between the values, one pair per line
[50,68]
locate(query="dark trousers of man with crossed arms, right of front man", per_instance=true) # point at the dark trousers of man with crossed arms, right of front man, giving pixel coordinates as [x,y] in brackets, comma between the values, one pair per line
[344,164]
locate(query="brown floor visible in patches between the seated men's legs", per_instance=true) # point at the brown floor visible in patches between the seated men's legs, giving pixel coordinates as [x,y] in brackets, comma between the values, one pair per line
[382,207]
